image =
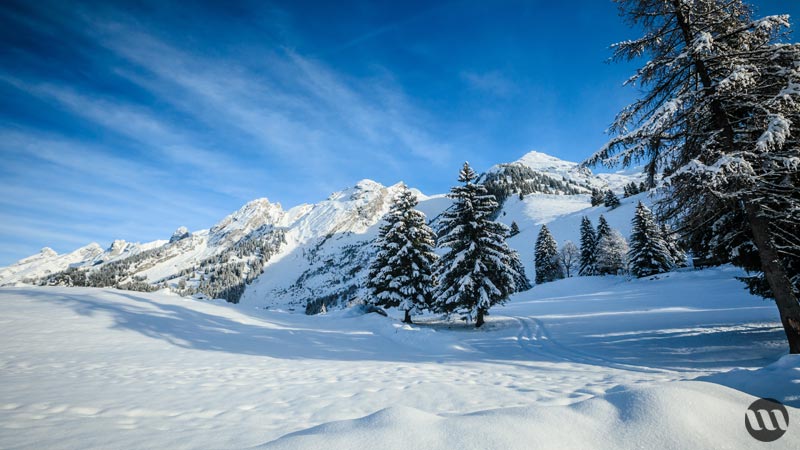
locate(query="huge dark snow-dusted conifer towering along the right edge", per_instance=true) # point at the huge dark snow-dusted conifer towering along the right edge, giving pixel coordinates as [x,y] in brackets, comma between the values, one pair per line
[717,118]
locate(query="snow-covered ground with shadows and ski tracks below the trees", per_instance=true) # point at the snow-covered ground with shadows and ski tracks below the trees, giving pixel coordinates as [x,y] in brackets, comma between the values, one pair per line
[579,363]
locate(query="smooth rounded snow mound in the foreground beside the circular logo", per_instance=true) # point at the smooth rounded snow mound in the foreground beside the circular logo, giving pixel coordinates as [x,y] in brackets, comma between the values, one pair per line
[685,415]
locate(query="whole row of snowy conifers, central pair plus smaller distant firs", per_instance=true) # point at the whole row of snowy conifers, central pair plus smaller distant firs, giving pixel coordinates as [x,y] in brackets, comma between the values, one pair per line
[478,270]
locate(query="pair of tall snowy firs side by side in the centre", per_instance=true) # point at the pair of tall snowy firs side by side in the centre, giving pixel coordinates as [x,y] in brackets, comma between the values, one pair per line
[476,271]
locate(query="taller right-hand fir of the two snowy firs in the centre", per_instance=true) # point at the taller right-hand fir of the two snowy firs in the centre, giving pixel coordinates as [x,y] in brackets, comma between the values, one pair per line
[478,270]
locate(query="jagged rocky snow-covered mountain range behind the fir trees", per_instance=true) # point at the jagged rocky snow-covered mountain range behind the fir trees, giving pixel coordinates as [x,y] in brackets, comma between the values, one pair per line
[314,254]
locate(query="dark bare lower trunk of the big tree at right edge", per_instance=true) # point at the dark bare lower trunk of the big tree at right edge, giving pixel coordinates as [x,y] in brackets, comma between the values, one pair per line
[776,276]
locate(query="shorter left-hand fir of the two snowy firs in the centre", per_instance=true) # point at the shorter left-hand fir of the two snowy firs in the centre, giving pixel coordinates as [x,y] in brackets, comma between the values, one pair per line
[400,273]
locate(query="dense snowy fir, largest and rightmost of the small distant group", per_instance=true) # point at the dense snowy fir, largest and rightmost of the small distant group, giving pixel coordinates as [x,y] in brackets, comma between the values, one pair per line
[648,252]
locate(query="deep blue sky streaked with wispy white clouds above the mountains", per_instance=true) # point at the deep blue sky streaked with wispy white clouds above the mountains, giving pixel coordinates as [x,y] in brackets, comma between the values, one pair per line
[129,119]
